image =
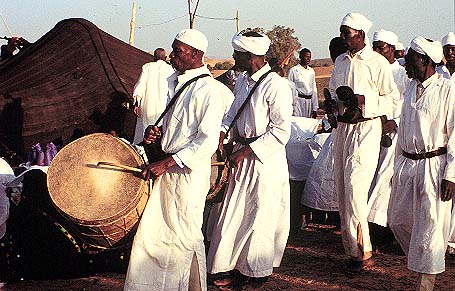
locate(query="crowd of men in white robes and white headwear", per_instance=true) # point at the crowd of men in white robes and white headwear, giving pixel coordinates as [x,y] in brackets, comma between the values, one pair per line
[391,147]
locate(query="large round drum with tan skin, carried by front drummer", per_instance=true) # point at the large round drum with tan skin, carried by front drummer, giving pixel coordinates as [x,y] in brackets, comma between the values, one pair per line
[102,204]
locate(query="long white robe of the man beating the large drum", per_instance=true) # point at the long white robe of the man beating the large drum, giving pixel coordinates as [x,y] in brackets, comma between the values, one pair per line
[169,233]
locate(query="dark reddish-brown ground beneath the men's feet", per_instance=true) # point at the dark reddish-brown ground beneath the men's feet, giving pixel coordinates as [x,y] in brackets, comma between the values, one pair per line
[313,260]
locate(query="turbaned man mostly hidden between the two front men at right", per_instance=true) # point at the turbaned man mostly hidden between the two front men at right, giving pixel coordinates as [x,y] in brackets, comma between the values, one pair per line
[384,43]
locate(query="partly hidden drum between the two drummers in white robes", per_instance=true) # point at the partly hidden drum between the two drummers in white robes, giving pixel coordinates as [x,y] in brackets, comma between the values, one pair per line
[218,178]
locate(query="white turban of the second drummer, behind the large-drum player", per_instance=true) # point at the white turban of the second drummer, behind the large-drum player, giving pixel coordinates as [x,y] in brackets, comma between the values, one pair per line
[257,45]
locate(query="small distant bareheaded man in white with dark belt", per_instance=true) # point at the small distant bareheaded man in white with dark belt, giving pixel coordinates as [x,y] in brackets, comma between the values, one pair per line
[303,76]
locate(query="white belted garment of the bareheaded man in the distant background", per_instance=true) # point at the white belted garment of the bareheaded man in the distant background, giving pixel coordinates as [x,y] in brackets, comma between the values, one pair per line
[305,83]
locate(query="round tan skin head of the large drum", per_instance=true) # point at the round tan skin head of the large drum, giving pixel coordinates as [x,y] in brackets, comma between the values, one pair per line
[91,194]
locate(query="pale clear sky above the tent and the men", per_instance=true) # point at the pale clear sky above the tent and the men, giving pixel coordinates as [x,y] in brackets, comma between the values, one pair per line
[157,22]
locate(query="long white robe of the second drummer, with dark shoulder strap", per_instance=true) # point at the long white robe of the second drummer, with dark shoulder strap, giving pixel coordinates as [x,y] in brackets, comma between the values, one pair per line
[253,227]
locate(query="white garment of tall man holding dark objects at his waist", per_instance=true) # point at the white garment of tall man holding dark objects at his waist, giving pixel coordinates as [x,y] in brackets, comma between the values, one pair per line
[356,148]
